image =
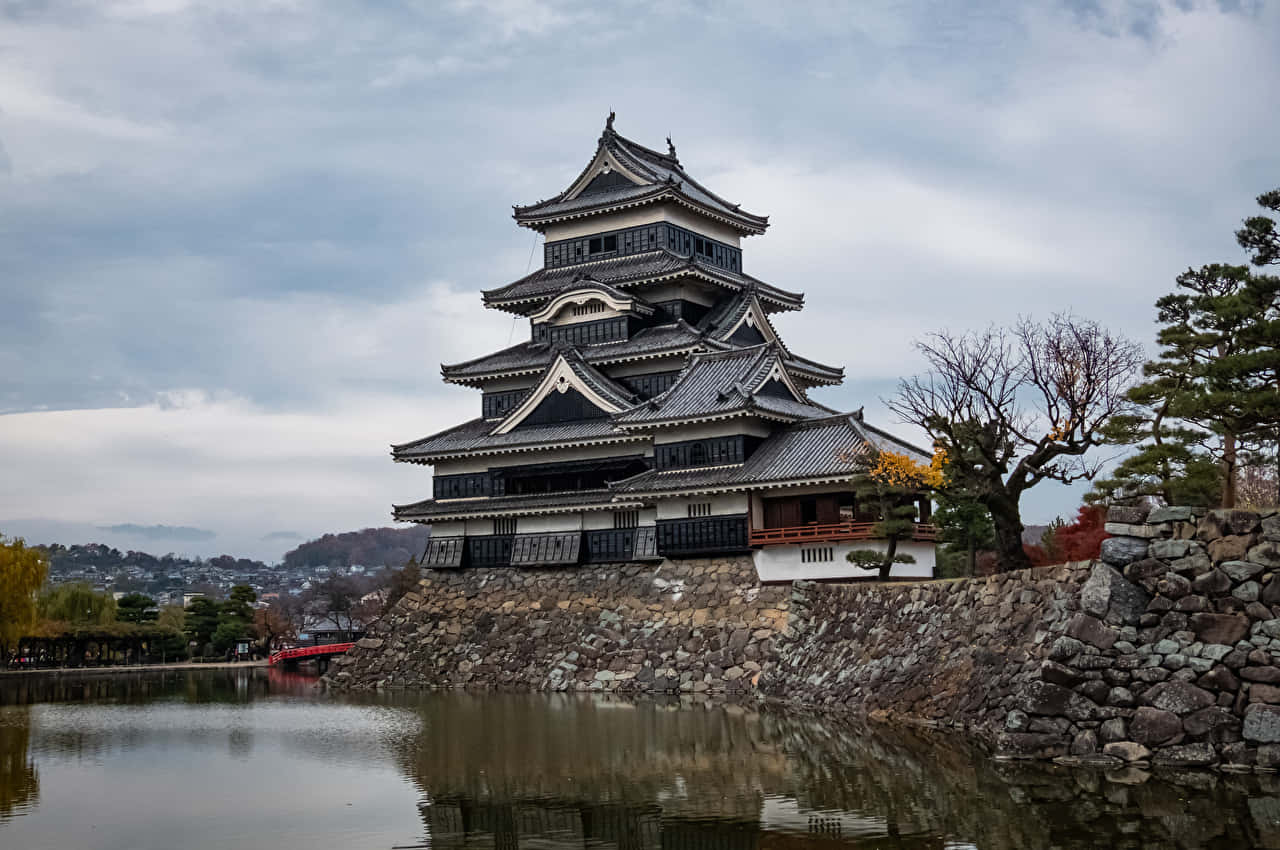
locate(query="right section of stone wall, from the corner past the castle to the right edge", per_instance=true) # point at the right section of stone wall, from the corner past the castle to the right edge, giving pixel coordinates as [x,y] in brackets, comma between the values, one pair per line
[1173,661]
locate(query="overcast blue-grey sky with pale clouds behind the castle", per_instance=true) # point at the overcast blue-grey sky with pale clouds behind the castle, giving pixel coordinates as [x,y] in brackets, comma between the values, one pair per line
[239,239]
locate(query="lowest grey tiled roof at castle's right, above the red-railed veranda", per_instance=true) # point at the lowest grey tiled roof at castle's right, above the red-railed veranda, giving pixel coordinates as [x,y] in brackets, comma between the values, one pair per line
[816,449]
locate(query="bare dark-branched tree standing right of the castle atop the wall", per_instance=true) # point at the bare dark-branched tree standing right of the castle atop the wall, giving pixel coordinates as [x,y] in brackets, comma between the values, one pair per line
[1014,408]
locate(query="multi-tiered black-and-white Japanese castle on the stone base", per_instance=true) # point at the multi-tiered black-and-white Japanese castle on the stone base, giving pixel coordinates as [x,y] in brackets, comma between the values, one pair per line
[653,413]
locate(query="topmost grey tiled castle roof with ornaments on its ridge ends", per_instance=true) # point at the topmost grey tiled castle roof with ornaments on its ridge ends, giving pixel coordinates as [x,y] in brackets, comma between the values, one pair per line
[664,176]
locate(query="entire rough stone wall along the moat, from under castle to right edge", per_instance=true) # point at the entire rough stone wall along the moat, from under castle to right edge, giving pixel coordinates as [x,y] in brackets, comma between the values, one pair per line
[1167,651]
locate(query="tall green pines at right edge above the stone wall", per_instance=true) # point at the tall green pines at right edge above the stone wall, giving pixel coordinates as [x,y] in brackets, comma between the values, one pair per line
[1212,401]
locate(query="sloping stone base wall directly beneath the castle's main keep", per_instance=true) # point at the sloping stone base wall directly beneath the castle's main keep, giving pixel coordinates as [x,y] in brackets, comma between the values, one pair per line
[694,627]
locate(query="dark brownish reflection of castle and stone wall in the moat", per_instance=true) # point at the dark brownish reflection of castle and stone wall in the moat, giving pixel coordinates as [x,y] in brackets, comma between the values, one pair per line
[514,773]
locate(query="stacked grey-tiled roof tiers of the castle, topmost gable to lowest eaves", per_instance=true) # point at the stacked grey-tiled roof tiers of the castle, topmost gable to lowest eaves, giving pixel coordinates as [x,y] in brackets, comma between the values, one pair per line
[715,349]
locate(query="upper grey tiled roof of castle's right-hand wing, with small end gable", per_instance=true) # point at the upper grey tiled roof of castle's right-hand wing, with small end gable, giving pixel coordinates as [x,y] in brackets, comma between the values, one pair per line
[719,385]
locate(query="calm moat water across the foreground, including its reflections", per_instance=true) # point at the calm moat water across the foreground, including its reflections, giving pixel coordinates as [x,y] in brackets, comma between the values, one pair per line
[228,760]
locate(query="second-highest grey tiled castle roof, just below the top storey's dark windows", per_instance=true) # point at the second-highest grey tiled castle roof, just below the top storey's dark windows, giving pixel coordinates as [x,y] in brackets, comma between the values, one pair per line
[534,290]
